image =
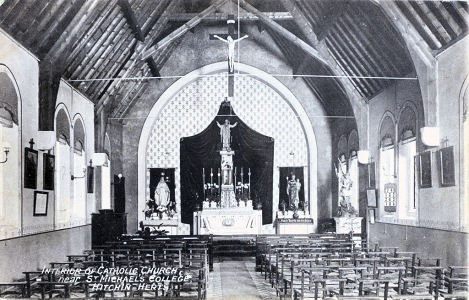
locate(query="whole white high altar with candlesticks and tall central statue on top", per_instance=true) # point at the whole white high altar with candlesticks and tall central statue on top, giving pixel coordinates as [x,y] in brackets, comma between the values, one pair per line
[227,209]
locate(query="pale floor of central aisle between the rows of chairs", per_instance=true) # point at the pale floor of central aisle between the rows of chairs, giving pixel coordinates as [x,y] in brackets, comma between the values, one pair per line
[237,279]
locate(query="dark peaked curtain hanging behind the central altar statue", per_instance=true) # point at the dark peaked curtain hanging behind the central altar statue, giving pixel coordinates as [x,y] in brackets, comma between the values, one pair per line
[252,150]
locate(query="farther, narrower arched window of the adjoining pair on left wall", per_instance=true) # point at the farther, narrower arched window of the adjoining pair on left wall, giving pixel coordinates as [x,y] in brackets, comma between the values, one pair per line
[79,173]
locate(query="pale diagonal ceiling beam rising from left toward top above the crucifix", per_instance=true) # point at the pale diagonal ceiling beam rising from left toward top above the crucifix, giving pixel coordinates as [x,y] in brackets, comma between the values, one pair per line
[150,50]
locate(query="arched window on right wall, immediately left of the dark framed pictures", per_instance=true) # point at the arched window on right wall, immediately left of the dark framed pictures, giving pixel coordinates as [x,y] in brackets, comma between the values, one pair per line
[407,131]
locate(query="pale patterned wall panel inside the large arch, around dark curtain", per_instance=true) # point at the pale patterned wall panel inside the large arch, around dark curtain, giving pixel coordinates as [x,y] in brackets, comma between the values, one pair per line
[194,107]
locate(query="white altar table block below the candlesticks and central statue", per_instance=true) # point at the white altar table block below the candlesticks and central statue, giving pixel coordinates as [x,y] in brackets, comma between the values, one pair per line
[228,221]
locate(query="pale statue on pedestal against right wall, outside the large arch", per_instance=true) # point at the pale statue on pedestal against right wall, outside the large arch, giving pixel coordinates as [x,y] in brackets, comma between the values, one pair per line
[345,190]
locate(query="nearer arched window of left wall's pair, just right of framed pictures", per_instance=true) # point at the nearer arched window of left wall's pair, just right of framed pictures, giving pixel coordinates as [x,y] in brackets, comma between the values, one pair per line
[63,204]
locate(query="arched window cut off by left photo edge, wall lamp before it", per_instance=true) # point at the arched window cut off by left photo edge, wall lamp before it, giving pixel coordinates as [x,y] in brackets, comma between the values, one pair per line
[10,168]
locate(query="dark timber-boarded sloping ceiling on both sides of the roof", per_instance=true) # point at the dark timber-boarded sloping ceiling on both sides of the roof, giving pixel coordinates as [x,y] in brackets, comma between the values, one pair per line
[92,39]
